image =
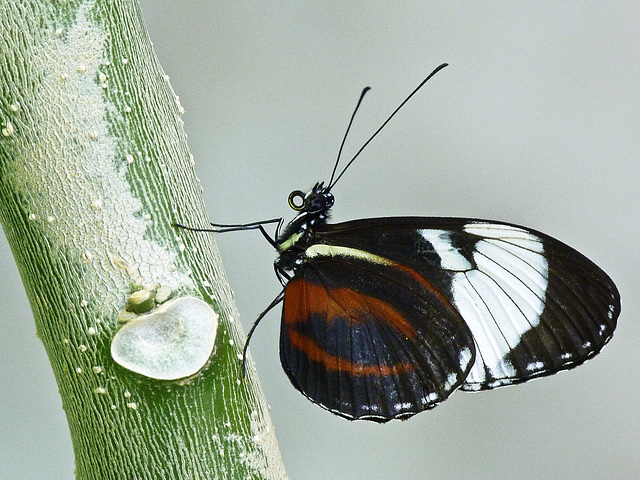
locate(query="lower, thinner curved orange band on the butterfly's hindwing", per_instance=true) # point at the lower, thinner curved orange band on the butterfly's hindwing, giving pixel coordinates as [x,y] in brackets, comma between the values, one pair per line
[335,363]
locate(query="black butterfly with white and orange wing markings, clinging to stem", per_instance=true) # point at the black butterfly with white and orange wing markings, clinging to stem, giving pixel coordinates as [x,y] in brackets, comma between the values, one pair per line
[386,317]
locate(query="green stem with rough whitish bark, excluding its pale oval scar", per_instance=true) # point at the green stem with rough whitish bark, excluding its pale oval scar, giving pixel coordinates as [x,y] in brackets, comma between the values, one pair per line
[94,168]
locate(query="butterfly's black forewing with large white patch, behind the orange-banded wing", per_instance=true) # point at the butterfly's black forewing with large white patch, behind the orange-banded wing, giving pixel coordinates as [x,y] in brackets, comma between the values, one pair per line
[534,305]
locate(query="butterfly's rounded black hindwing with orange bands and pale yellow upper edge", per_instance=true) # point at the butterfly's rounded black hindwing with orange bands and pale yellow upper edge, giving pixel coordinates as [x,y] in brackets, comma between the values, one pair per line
[367,337]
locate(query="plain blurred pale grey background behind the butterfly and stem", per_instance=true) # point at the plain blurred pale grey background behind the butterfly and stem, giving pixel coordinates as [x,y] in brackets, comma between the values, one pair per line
[535,122]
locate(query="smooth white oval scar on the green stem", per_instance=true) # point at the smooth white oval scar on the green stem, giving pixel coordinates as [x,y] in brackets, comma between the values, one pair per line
[174,341]
